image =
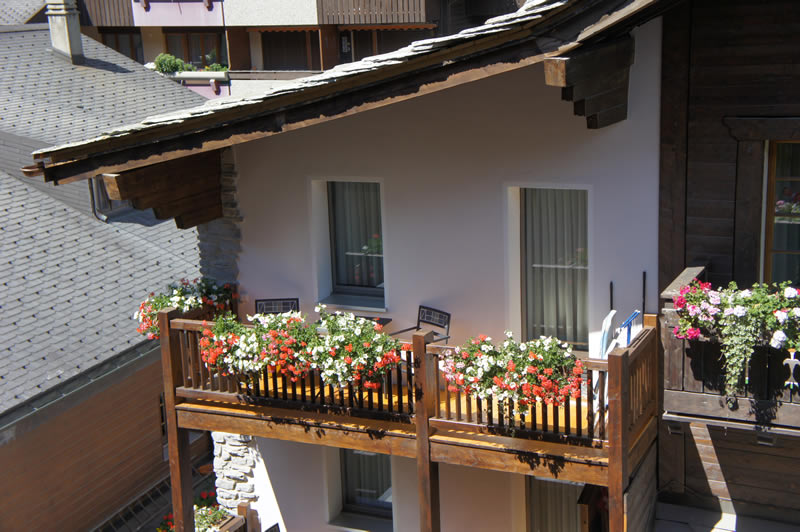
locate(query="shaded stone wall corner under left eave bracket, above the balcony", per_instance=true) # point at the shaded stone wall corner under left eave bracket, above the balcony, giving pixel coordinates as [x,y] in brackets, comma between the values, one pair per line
[219,242]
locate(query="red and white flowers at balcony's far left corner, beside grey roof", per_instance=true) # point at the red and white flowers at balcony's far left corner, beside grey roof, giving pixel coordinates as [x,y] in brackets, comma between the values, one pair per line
[184,295]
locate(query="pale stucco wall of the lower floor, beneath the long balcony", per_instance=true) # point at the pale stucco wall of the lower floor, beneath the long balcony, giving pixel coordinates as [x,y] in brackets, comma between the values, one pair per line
[299,487]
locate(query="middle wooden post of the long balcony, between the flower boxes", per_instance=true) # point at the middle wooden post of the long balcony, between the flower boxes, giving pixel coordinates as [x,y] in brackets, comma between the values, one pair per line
[426,395]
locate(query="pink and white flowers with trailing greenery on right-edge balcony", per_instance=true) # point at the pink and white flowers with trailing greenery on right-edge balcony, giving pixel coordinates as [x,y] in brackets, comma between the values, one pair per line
[740,320]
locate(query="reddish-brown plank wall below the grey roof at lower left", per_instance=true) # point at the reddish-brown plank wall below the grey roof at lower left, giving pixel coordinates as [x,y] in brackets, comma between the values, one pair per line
[80,467]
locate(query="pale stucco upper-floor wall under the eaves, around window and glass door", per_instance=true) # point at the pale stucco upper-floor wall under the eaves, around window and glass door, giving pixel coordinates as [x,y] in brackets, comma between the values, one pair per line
[449,164]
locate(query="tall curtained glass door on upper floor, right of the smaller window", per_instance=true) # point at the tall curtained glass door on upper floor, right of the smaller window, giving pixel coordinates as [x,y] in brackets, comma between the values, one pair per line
[555,264]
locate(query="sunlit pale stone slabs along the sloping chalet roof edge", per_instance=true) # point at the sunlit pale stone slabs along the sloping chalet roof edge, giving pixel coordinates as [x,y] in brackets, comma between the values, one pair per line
[532,10]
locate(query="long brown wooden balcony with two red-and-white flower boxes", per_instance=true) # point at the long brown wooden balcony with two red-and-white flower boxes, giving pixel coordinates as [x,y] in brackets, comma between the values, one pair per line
[598,439]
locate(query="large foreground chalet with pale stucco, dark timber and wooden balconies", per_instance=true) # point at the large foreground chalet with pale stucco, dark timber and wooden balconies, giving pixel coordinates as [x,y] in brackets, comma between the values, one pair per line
[512,174]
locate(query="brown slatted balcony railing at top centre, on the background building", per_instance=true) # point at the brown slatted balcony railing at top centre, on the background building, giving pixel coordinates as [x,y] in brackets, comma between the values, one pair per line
[371,12]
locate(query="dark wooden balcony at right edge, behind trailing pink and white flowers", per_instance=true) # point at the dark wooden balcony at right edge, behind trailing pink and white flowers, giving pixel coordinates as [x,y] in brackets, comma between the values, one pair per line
[693,380]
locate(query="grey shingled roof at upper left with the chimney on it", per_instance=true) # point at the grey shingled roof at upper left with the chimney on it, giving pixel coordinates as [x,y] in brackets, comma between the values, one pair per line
[48,99]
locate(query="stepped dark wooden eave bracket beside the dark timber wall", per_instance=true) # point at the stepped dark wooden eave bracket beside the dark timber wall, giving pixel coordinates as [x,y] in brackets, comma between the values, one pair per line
[596,80]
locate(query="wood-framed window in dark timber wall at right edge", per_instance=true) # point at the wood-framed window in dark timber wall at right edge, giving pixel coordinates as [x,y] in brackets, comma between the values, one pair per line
[782,243]
